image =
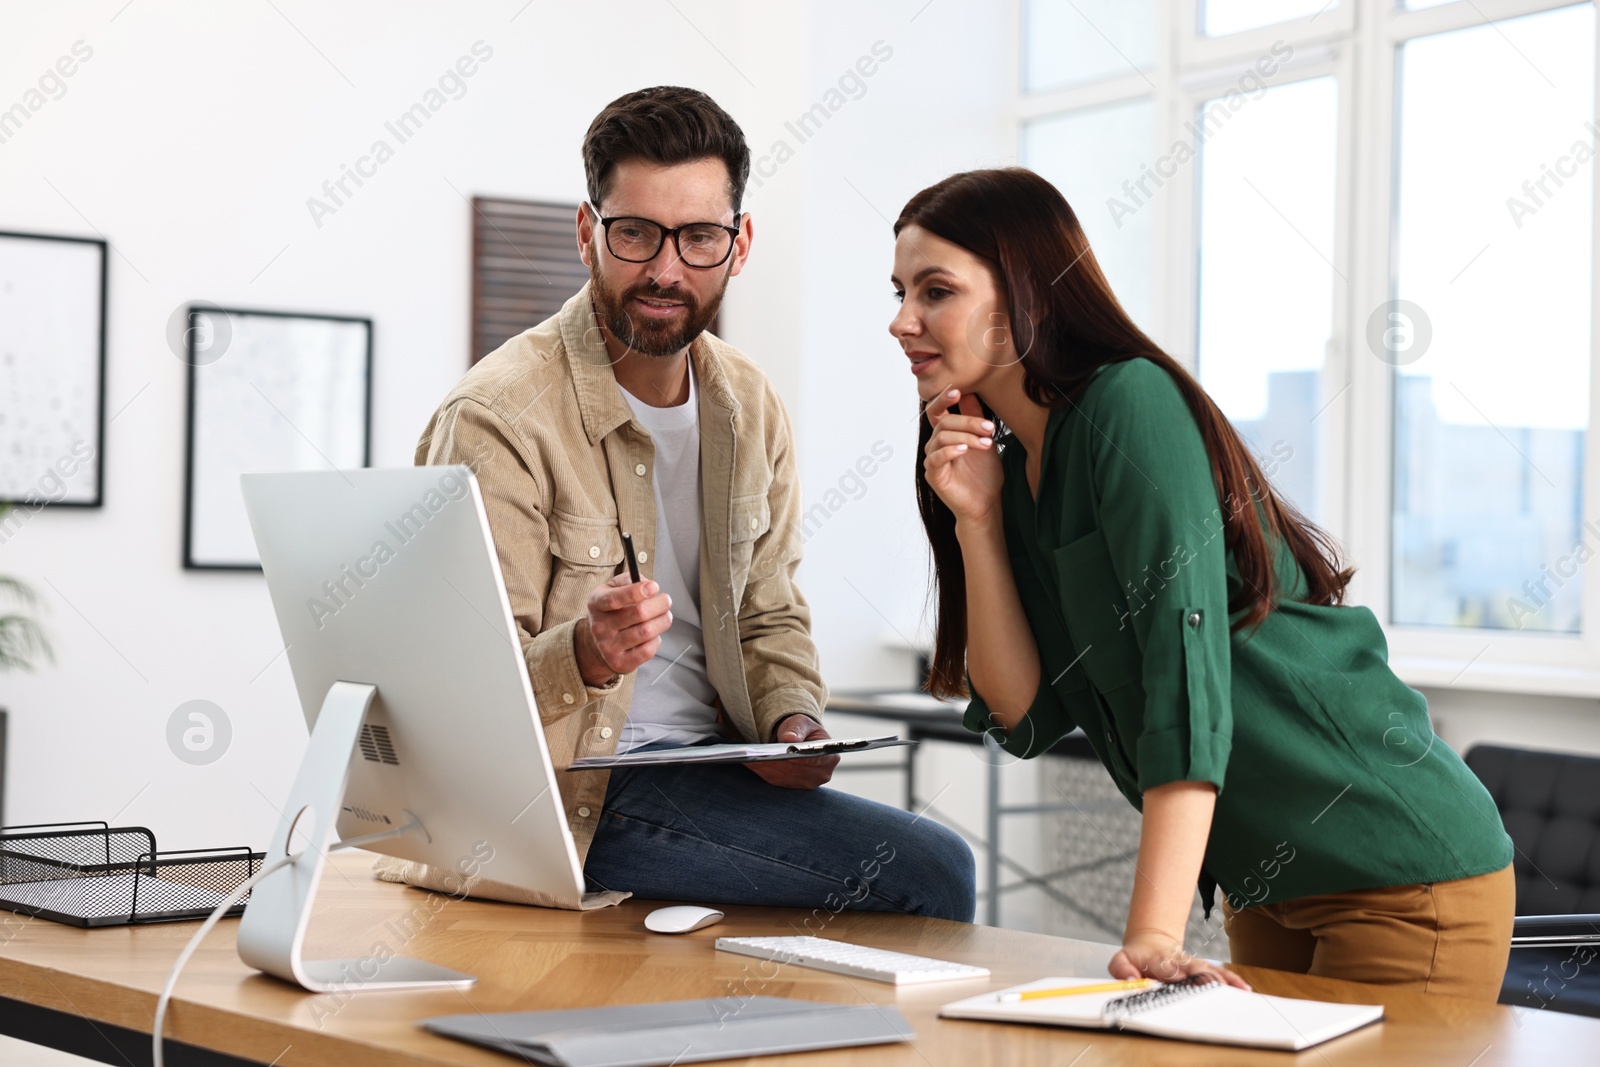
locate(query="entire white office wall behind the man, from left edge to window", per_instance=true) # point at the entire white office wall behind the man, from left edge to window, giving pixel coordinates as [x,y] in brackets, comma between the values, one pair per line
[193,138]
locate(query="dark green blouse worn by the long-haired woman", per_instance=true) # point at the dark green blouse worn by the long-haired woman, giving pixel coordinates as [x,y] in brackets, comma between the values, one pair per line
[1327,770]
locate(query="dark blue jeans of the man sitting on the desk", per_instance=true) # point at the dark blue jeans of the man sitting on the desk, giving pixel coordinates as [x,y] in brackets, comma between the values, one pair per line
[721,834]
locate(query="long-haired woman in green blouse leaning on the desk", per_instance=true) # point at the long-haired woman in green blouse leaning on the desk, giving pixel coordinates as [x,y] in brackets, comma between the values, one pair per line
[1110,556]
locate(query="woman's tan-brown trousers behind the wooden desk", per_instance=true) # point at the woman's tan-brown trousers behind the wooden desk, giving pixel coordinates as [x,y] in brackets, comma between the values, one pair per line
[1439,938]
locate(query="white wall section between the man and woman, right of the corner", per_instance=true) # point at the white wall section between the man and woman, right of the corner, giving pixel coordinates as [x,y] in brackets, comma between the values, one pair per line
[940,105]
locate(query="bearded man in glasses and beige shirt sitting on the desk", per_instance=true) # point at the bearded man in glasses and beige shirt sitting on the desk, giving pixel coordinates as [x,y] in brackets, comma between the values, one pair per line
[620,415]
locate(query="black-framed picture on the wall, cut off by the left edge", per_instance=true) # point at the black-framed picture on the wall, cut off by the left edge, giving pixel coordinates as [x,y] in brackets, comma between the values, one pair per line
[52,370]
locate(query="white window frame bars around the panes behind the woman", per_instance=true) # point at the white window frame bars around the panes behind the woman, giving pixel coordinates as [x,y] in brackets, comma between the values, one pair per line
[1359,44]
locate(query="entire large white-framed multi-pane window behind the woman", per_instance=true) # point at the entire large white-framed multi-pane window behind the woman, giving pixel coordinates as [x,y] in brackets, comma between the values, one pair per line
[1377,254]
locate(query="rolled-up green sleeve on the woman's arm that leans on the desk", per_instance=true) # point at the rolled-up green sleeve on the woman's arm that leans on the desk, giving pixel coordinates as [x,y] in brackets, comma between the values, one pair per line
[1162,524]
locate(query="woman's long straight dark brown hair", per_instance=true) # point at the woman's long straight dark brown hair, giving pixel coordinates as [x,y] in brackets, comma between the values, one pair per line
[1066,324]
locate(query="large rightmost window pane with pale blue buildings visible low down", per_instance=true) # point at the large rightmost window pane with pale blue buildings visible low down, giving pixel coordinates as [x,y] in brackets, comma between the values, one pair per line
[1494,284]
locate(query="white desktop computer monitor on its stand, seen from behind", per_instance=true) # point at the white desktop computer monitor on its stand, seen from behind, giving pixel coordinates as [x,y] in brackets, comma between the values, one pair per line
[412,679]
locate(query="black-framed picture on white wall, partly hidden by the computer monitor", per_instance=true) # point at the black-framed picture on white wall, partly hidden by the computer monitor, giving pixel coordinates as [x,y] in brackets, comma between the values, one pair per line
[268,391]
